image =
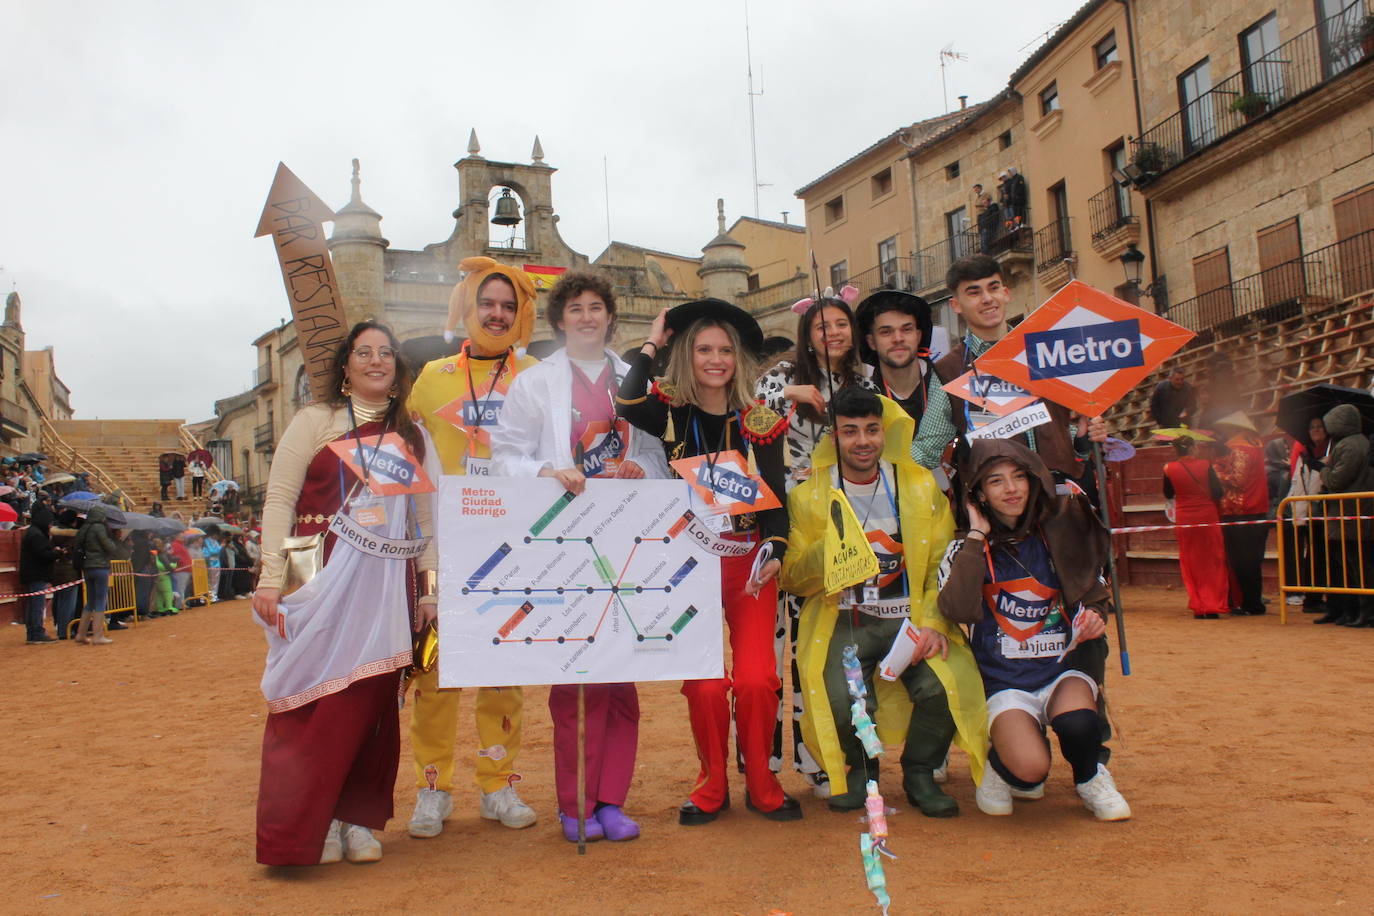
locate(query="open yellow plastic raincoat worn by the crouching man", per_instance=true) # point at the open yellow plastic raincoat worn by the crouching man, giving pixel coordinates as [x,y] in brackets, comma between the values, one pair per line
[927,529]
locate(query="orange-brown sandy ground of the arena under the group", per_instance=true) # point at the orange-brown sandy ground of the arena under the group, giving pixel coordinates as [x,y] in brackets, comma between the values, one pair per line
[1244,748]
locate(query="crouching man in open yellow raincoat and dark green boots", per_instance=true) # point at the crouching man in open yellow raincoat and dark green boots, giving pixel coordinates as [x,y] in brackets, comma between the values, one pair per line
[908,521]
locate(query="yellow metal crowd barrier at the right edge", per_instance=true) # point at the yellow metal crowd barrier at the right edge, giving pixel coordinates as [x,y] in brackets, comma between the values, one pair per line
[1322,565]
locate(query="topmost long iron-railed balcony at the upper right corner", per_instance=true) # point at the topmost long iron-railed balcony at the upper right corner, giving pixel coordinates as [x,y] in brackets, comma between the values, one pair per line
[1281,78]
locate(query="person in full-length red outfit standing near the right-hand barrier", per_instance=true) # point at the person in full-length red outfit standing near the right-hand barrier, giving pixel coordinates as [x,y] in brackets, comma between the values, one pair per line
[1193,485]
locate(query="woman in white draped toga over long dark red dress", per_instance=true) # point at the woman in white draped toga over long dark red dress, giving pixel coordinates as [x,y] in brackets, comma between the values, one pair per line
[339,643]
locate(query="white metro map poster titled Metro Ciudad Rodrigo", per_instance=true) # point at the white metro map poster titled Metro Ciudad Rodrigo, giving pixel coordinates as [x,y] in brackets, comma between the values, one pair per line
[543,587]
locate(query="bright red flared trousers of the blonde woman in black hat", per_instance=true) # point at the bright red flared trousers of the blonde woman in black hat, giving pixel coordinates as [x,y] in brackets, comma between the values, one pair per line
[755,683]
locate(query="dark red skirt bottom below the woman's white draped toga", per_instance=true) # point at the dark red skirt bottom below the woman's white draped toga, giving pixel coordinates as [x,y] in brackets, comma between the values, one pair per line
[333,759]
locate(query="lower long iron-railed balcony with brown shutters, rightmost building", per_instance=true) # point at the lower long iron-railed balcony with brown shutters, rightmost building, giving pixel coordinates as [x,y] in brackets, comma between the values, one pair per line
[1311,282]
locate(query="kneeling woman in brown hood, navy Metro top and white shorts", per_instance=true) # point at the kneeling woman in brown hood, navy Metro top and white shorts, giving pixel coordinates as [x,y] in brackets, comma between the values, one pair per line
[1026,577]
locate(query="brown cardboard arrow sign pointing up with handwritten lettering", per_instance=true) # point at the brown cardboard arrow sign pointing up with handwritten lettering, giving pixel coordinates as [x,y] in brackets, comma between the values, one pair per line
[295,218]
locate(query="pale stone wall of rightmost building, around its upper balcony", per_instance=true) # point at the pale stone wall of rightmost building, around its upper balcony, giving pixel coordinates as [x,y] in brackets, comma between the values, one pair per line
[1294,161]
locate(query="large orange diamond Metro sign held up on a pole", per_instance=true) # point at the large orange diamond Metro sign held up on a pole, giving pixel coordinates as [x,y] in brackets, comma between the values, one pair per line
[1085,350]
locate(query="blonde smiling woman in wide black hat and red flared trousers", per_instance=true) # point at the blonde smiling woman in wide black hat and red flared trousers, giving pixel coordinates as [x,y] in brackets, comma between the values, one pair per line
[704,406]
